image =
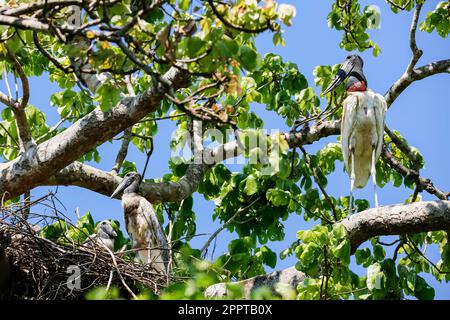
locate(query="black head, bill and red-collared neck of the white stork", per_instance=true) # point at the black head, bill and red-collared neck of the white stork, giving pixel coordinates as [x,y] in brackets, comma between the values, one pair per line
[351,68]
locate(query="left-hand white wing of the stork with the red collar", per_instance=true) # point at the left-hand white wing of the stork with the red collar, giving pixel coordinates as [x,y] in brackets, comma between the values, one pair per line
[347,124]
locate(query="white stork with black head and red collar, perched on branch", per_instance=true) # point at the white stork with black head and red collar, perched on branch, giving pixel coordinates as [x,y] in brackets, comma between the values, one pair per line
[362,125]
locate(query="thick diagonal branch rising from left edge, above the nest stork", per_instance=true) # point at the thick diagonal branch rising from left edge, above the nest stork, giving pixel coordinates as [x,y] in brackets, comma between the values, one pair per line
[35,166]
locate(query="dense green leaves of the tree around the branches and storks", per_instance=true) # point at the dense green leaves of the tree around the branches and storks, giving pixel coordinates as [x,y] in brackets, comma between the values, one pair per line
[265,194]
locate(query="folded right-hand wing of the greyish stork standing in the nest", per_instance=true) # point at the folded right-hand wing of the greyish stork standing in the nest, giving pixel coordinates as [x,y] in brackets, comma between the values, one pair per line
[156,231]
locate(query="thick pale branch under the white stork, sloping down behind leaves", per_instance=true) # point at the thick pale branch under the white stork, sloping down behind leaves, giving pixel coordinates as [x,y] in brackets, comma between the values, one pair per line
[390,220]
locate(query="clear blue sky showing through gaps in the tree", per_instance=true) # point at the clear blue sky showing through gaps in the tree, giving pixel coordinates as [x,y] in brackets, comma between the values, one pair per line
[421,114]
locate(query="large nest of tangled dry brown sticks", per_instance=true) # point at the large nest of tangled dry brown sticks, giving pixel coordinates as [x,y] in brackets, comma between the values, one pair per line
[32,267]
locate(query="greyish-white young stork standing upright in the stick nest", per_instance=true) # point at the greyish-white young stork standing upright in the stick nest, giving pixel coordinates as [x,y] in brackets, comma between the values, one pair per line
[142,224]
